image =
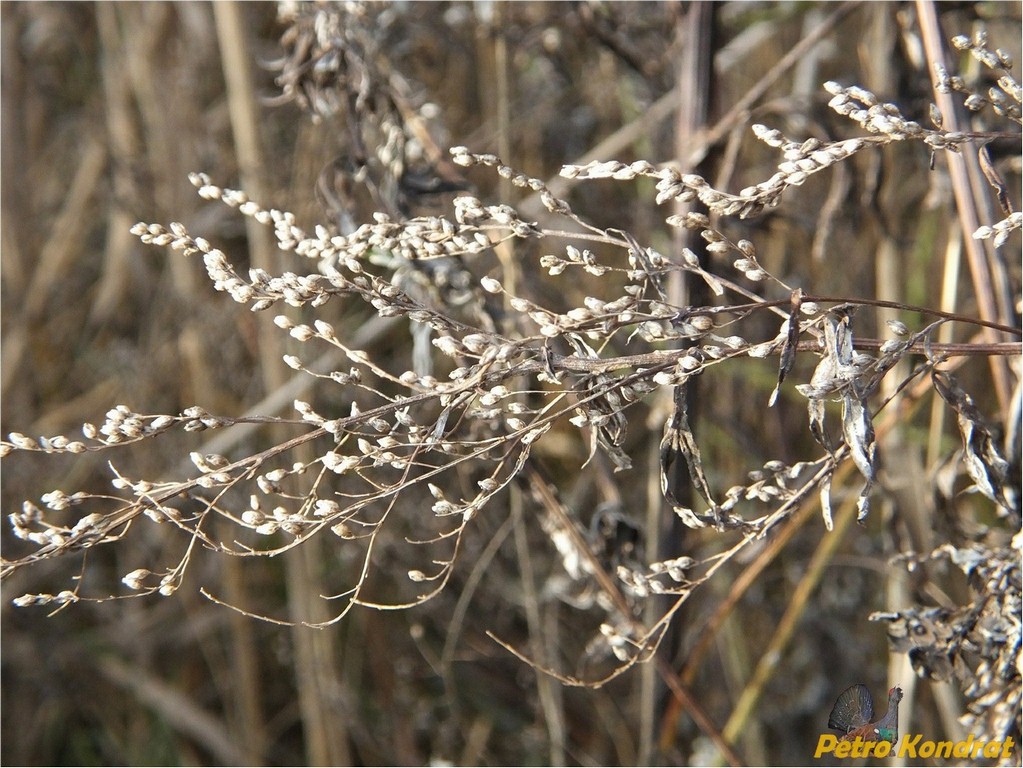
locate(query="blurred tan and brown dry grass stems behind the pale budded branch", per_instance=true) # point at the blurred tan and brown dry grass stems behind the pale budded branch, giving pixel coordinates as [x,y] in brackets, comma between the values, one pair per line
[106,110]
